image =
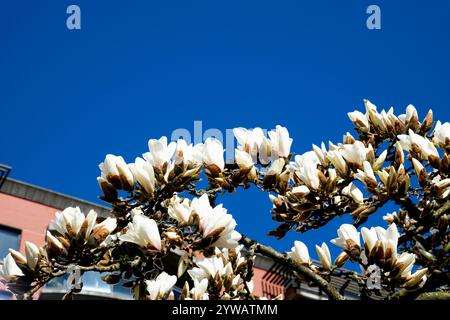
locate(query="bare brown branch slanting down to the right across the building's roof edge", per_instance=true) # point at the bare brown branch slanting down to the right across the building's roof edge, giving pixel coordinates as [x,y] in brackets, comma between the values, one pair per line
[300,269]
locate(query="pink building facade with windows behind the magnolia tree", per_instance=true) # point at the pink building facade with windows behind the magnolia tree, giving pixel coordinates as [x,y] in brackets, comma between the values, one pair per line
[26,210]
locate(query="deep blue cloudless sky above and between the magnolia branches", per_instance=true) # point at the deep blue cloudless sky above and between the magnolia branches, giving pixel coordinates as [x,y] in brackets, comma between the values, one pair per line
[138,70]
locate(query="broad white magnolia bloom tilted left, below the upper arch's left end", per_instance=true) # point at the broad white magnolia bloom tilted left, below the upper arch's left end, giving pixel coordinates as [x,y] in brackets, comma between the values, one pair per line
[144,232]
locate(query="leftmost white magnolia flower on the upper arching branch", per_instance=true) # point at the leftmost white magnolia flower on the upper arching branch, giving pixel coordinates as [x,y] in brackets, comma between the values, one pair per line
[116,172]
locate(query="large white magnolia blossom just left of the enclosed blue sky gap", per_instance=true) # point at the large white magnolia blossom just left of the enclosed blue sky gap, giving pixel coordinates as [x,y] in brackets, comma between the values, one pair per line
[216,223]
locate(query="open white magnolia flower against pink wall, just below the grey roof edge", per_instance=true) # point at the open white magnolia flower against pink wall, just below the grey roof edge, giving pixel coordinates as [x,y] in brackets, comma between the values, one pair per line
[68,222]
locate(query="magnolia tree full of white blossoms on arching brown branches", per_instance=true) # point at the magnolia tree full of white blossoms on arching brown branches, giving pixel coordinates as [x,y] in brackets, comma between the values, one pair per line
[160,214]
